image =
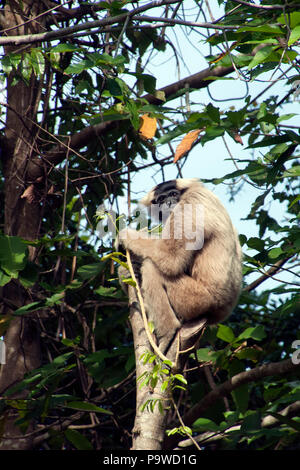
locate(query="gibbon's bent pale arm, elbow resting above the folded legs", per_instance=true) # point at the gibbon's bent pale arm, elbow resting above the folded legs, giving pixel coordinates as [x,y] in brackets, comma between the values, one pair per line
[170,256]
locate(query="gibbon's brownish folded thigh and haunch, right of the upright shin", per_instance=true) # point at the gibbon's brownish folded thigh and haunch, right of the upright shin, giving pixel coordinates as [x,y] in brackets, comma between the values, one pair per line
[190,299]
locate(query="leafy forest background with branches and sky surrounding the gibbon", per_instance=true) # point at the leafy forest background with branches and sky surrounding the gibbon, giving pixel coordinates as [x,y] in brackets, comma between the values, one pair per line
[85,114]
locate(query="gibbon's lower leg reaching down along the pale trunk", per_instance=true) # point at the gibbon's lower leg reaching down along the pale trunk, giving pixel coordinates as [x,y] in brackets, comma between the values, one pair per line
[157,305]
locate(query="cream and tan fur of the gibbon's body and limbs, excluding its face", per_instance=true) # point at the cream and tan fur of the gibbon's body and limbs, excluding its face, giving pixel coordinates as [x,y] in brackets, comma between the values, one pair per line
[179,285]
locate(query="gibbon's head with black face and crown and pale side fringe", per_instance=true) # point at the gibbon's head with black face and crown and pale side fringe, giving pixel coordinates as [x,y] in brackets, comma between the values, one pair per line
[163,198]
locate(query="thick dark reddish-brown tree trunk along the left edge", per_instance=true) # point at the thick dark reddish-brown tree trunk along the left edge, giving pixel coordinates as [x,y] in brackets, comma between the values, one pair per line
[22,215]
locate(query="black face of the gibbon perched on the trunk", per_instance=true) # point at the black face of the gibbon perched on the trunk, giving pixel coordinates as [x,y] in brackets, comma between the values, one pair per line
[166,196]
